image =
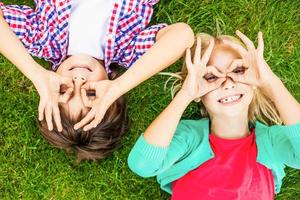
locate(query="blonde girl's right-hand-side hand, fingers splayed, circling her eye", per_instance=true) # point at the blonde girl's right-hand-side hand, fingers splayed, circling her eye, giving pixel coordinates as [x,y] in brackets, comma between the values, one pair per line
[252,68]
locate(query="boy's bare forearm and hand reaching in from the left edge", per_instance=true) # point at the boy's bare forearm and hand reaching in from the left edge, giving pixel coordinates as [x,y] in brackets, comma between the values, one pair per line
[46,82]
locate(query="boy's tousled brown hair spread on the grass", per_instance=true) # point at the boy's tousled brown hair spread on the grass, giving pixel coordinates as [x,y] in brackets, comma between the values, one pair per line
[96,143]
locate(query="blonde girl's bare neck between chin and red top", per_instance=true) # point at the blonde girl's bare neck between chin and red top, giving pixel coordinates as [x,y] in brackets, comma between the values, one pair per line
[230,127]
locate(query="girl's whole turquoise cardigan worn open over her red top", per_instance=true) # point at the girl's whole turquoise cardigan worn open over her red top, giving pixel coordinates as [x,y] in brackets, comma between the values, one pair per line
[277,146]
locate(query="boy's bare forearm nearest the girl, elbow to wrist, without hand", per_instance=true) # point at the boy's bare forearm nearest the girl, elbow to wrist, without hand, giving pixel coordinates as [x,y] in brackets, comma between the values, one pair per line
[171,42]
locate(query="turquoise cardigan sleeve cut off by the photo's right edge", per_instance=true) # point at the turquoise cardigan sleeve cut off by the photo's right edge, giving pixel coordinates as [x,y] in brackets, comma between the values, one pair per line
[285,141]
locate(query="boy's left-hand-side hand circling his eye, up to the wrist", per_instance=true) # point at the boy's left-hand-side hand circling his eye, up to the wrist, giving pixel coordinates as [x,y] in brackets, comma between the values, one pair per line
[48,85]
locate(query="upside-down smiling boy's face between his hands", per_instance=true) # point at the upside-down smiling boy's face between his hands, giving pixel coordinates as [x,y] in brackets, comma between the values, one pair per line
[82,69]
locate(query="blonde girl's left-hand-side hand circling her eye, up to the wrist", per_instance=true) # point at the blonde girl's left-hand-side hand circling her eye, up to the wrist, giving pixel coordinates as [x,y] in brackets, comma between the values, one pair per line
[201,79]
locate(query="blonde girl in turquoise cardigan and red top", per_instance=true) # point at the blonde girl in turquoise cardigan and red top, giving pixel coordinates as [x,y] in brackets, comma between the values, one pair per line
[239,151]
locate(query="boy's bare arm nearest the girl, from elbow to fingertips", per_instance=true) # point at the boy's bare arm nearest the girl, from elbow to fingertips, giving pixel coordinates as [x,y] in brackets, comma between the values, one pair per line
[171,42]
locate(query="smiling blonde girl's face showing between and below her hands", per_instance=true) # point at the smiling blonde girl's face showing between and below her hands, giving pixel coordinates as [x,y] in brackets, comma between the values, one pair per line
[231,99]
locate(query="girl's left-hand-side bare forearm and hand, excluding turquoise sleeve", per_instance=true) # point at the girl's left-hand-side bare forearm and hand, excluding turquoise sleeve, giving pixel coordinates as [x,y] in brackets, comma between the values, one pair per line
[194,87]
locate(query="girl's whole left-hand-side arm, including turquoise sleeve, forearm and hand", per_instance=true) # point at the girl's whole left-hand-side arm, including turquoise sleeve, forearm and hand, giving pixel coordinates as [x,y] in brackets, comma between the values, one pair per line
[149,154]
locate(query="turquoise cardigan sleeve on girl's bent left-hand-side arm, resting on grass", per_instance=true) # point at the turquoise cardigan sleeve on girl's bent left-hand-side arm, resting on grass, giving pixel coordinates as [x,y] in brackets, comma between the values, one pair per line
[148,160]
